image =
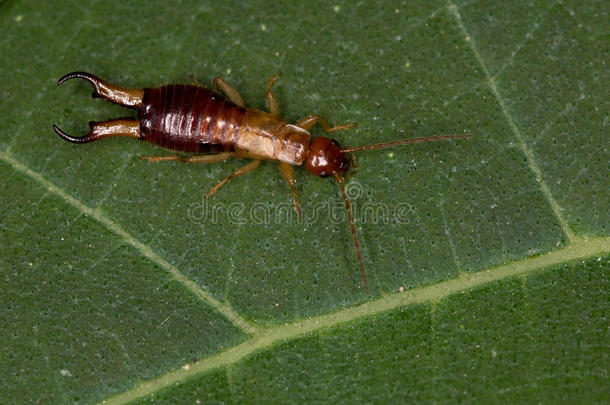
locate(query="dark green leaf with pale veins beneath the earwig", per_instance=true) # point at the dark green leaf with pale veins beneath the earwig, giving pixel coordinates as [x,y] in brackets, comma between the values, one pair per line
[487,258]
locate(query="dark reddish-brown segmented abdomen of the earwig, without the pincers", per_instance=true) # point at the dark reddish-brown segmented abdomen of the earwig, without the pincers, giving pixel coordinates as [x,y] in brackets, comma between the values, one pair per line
[189,119]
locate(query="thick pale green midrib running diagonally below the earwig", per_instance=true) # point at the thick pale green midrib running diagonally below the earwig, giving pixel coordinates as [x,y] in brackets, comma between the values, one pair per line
[579,250]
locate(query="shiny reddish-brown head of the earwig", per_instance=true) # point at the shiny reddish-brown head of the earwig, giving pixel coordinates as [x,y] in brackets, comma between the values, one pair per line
[326,158]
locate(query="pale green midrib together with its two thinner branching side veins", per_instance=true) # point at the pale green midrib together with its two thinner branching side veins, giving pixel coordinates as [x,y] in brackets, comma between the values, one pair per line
[578,249]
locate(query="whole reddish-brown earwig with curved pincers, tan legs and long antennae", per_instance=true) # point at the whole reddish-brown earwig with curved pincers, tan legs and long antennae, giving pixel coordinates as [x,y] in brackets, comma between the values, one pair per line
[191,118]
